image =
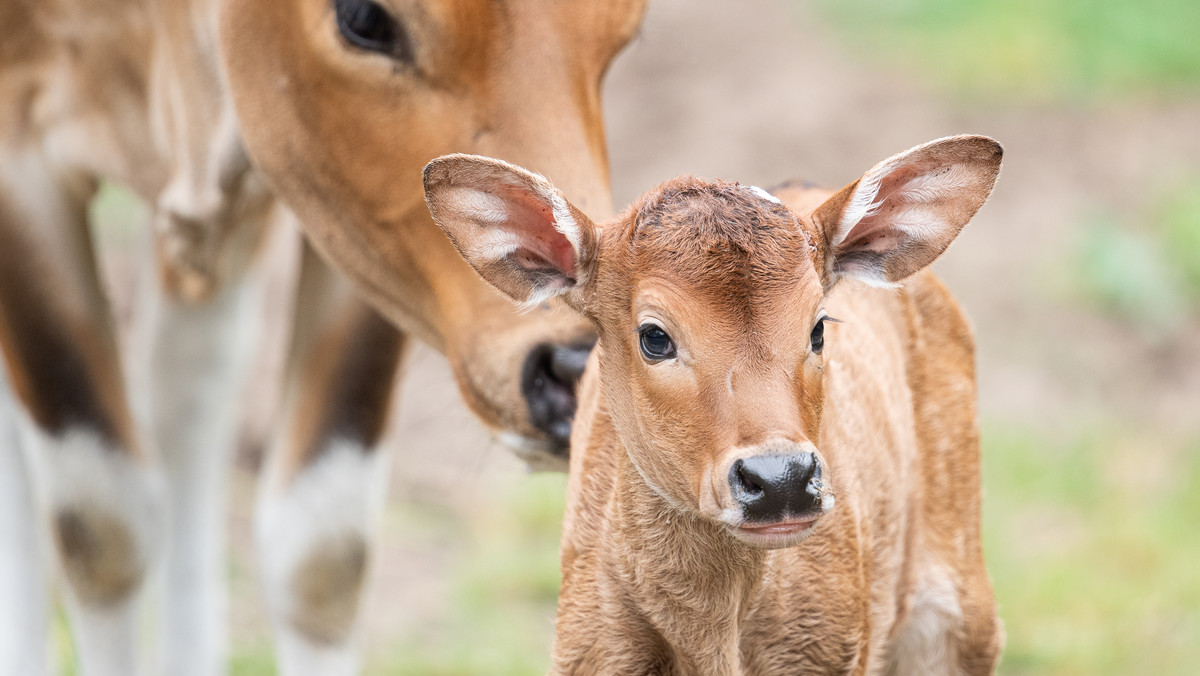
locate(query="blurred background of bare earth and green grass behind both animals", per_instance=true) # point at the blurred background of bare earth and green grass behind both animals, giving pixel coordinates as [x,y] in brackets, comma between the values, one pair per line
[1082,278]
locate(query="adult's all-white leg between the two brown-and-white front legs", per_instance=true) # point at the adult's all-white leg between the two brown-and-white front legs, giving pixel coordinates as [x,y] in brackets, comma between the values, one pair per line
[197,362]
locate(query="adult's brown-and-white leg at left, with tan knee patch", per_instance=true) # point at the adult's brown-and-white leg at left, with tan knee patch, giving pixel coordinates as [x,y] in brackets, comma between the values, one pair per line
[94,482]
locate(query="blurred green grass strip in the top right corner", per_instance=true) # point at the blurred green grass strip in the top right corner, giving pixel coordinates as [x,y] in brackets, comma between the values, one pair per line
[1031,50]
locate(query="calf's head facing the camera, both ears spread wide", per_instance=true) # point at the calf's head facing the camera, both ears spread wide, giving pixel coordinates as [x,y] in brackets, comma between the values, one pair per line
[710,304]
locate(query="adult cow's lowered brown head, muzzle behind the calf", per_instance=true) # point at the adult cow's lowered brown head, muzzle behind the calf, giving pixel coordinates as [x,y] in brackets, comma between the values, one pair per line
[341,103]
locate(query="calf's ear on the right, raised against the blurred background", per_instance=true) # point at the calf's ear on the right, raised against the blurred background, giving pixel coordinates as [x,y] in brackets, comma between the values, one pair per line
[903,214]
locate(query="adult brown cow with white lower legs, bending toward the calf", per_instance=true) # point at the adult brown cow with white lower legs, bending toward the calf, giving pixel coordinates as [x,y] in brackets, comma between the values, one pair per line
[339,104]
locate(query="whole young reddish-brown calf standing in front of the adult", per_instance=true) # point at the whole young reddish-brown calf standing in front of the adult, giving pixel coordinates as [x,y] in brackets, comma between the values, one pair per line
[757,487]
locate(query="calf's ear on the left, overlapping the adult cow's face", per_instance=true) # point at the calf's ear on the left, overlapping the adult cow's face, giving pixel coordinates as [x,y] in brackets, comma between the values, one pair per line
[512,225]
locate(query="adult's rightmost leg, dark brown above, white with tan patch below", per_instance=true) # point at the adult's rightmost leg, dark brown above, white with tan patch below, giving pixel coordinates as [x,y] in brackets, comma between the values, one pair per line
[327,476]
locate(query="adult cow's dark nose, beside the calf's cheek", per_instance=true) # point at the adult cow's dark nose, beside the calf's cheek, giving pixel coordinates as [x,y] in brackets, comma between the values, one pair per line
[551,374]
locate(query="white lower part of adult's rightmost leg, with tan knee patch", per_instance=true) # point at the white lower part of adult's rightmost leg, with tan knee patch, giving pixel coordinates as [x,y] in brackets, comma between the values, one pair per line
[310,533]
